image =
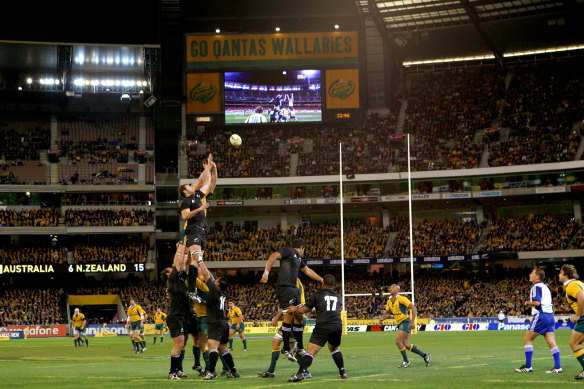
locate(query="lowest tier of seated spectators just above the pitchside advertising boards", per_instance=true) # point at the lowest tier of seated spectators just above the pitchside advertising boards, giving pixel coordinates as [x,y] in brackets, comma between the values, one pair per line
[468,295]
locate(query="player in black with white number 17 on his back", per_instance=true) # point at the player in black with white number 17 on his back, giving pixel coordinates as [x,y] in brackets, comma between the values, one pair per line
[328,329]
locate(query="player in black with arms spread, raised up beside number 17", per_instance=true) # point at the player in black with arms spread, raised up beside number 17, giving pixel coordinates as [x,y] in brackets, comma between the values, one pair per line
[291,263]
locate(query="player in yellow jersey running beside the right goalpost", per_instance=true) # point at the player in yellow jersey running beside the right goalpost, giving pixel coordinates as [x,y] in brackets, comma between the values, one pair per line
[399,306]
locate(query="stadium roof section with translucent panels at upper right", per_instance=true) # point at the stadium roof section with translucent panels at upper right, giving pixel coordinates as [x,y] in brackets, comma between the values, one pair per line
[425,29]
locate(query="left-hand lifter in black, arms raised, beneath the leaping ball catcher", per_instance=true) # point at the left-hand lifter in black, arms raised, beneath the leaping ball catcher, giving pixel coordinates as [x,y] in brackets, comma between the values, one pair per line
[178,308]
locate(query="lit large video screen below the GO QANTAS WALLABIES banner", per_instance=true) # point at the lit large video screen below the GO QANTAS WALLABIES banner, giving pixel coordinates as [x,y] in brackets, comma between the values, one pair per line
[273,96]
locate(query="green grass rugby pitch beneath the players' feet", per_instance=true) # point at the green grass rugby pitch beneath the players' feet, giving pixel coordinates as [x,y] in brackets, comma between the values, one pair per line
[459,360]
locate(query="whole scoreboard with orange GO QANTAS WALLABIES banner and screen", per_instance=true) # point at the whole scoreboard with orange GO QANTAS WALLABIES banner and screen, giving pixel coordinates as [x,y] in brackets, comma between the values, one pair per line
[229,76]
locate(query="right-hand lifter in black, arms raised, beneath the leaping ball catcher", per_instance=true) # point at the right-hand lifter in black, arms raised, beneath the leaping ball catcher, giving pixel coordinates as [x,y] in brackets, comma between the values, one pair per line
[218,324]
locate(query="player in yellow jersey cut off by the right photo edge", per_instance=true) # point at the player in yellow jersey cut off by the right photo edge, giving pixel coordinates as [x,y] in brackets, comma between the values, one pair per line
[575,297]
